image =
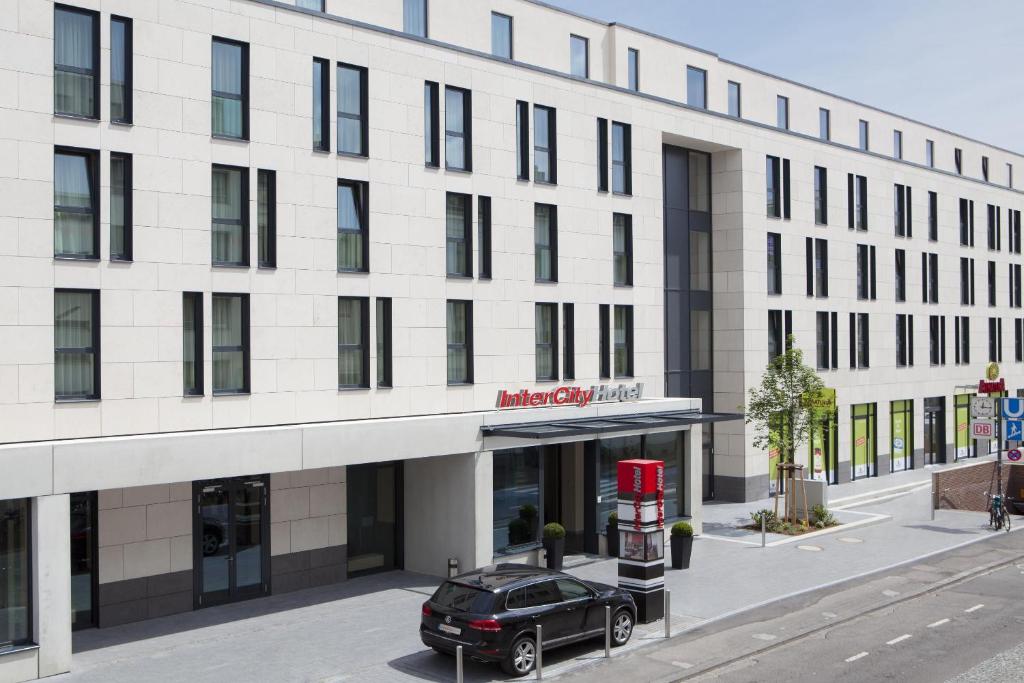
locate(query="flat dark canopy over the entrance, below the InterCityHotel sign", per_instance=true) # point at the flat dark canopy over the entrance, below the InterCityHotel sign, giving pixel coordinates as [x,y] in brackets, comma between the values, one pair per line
[598,426]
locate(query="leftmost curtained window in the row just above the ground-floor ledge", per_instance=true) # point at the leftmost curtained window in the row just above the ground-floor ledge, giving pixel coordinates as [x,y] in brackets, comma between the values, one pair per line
[76,345]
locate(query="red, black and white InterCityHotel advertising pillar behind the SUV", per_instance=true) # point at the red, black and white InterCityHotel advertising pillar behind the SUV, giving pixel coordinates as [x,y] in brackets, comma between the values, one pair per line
[642,536]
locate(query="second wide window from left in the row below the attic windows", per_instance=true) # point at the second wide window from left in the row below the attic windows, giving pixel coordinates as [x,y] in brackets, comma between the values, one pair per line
[231,90]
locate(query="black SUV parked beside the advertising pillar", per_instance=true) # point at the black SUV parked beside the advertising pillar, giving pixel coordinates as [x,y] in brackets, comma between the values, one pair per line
[494,614]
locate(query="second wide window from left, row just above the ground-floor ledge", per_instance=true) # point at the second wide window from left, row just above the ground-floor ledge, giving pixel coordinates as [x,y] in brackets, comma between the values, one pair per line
[231,344]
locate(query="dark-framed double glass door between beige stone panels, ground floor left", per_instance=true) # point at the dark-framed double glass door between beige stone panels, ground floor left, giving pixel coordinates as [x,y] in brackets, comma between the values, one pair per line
[232,532]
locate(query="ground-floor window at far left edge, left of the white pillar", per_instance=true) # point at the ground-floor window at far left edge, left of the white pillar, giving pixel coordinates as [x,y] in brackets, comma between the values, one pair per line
[16,574]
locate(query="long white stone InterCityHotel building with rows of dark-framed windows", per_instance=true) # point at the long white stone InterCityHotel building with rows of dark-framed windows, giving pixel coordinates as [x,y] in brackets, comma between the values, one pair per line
[267,271]
